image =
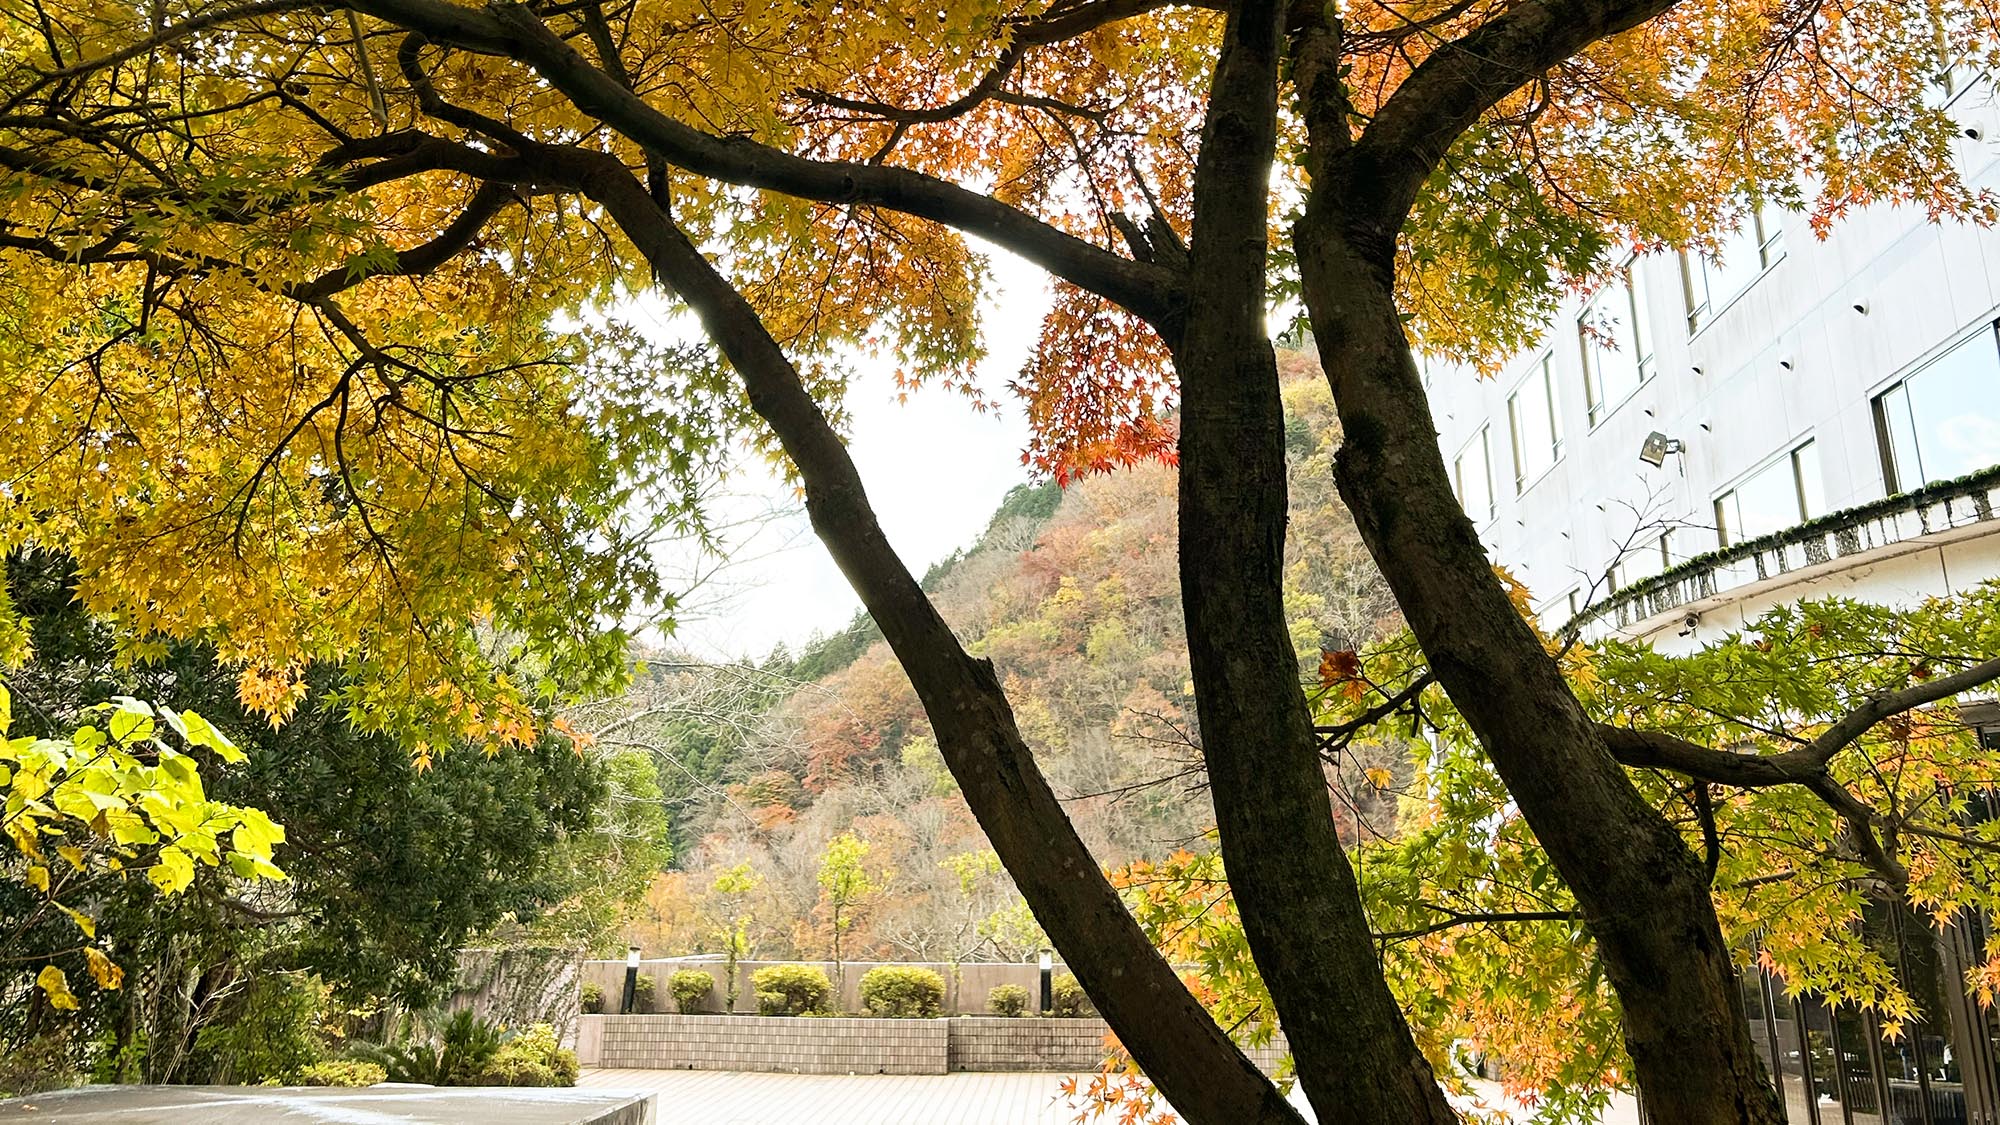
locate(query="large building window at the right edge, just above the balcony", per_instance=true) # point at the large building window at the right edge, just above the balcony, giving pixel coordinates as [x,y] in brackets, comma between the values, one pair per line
[1943,421]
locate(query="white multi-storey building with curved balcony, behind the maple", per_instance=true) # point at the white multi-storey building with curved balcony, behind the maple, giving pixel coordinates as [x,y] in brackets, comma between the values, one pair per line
[1831,419]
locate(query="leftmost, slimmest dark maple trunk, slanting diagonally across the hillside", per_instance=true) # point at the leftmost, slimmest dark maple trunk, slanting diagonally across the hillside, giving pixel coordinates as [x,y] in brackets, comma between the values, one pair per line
[1201,1070]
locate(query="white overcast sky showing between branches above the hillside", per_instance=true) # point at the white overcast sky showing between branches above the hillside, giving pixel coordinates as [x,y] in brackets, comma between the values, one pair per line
[935,471]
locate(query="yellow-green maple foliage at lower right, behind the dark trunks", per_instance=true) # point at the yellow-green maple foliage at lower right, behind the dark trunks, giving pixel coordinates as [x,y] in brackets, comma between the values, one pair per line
[1467,906]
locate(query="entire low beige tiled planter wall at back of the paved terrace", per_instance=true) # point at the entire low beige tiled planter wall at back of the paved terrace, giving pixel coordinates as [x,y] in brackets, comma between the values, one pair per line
[815,1046]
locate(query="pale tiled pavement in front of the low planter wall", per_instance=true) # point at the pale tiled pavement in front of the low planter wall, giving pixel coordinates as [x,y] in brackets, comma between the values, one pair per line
[723,1098]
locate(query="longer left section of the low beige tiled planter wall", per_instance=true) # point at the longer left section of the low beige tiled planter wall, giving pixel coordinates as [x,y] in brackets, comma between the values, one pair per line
[773,1046]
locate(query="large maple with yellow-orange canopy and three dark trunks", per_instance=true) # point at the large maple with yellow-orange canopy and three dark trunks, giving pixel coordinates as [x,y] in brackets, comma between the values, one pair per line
[363,249]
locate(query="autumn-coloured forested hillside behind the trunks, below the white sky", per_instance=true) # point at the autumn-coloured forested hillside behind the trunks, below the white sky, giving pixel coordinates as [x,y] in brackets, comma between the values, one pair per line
[1073,596]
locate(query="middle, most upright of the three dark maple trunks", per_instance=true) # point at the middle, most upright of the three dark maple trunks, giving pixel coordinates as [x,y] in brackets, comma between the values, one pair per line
[1293,886]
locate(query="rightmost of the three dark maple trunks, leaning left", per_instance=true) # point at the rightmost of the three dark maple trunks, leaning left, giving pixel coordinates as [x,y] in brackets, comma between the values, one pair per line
[1643,892]
